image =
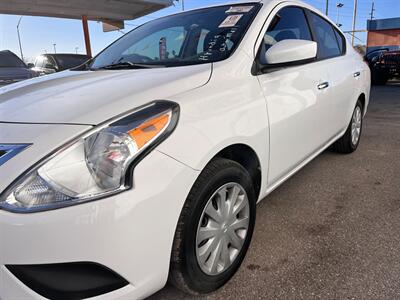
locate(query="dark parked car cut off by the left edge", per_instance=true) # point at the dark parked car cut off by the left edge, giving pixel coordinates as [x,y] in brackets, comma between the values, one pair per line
[13,69]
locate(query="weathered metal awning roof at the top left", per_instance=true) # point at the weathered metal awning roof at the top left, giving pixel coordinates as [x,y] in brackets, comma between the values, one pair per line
[92,9]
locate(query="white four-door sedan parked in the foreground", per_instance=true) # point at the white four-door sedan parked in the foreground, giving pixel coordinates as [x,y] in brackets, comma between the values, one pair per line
[147,162]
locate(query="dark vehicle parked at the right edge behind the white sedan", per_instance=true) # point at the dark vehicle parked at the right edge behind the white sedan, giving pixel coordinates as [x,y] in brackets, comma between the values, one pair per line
[384,64]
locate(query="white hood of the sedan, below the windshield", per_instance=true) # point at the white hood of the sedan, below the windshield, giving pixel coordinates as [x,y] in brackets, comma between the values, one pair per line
[92,97]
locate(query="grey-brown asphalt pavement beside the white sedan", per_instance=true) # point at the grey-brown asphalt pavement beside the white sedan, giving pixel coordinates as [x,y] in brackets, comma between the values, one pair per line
[333,230]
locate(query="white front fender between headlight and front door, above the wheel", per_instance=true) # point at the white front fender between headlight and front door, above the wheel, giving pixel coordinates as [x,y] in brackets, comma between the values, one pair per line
[229,110]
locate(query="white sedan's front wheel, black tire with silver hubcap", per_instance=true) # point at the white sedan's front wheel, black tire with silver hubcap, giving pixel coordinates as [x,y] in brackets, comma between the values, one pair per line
[214,229]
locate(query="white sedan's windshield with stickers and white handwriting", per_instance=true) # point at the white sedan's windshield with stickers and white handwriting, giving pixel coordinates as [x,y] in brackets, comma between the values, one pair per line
[195,37]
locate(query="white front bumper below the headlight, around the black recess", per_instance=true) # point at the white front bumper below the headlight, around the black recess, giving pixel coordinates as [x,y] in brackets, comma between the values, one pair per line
[130,233]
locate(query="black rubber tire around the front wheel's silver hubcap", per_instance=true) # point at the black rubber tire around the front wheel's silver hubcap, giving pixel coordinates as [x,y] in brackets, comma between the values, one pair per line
[185,272]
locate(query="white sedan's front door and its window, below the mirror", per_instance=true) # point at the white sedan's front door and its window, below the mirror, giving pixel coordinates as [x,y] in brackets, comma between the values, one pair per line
[297,98]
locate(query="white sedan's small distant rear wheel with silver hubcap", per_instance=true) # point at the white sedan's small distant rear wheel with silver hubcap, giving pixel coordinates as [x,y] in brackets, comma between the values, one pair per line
[351,139]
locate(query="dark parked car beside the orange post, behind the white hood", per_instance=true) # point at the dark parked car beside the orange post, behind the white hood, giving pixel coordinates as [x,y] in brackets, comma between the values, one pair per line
[52,63]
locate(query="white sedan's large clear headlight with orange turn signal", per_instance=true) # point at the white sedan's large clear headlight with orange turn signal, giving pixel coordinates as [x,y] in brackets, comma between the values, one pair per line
[96,165]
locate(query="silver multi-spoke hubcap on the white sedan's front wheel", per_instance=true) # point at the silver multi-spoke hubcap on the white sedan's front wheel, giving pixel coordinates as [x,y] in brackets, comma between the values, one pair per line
[223,229]
